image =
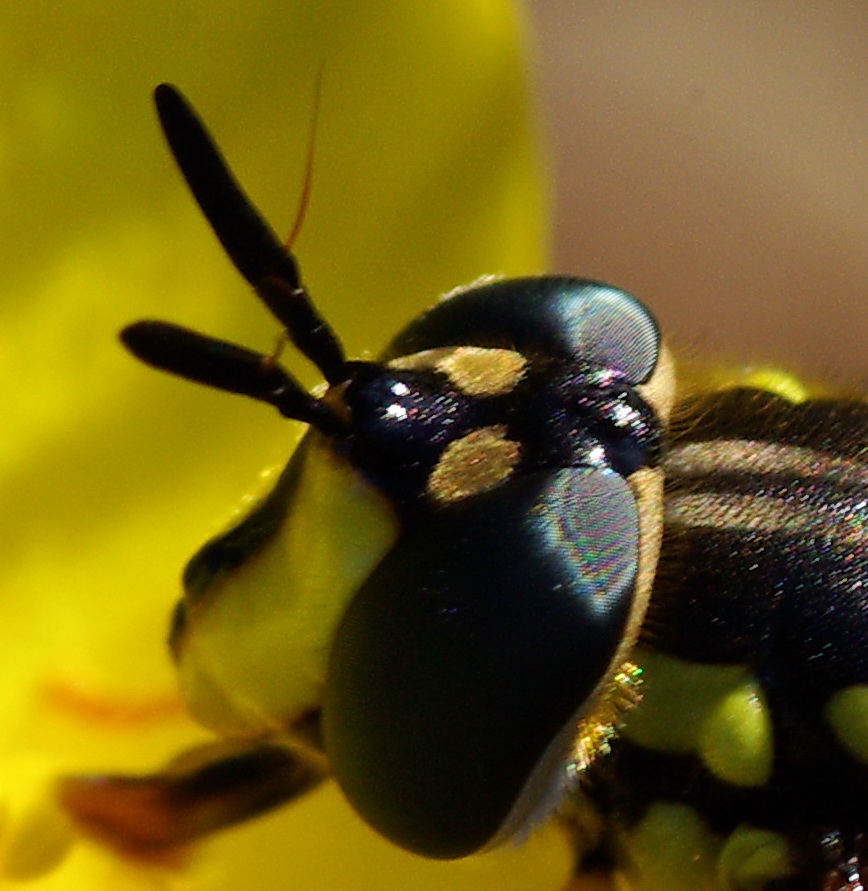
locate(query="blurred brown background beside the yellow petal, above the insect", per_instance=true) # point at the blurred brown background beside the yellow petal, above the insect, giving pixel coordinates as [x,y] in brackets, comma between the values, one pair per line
[712,158]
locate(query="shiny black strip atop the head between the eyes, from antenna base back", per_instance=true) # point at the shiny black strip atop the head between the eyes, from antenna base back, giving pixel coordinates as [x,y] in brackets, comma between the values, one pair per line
[560,414]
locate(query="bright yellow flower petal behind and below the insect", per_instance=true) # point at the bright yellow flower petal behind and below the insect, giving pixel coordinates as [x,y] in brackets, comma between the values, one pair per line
[425,176]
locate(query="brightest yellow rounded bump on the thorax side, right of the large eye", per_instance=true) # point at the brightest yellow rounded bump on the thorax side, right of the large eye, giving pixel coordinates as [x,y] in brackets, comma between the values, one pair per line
[736,739]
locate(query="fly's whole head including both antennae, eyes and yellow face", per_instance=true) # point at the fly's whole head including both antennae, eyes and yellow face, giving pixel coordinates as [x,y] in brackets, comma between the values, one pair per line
[506,450]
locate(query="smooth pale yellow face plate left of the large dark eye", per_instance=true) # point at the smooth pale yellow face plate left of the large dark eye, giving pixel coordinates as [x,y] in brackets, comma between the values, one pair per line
[254,654]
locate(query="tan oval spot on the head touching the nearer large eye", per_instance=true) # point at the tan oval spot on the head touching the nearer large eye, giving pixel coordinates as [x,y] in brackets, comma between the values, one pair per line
[472,464]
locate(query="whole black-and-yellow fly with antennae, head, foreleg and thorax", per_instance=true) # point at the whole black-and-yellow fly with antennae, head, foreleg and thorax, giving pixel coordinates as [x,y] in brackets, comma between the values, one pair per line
[497,638]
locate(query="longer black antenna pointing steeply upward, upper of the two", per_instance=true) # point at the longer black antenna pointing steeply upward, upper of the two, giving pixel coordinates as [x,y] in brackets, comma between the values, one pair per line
[253,247]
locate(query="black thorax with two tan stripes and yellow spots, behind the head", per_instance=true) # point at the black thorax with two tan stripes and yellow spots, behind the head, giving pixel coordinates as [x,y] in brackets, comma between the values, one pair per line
[751,737]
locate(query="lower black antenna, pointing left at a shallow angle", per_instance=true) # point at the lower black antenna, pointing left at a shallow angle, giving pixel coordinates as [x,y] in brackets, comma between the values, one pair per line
[226,366]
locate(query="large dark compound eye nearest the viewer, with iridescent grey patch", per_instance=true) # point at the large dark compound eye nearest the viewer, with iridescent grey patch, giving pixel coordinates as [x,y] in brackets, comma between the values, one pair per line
[459,670]
